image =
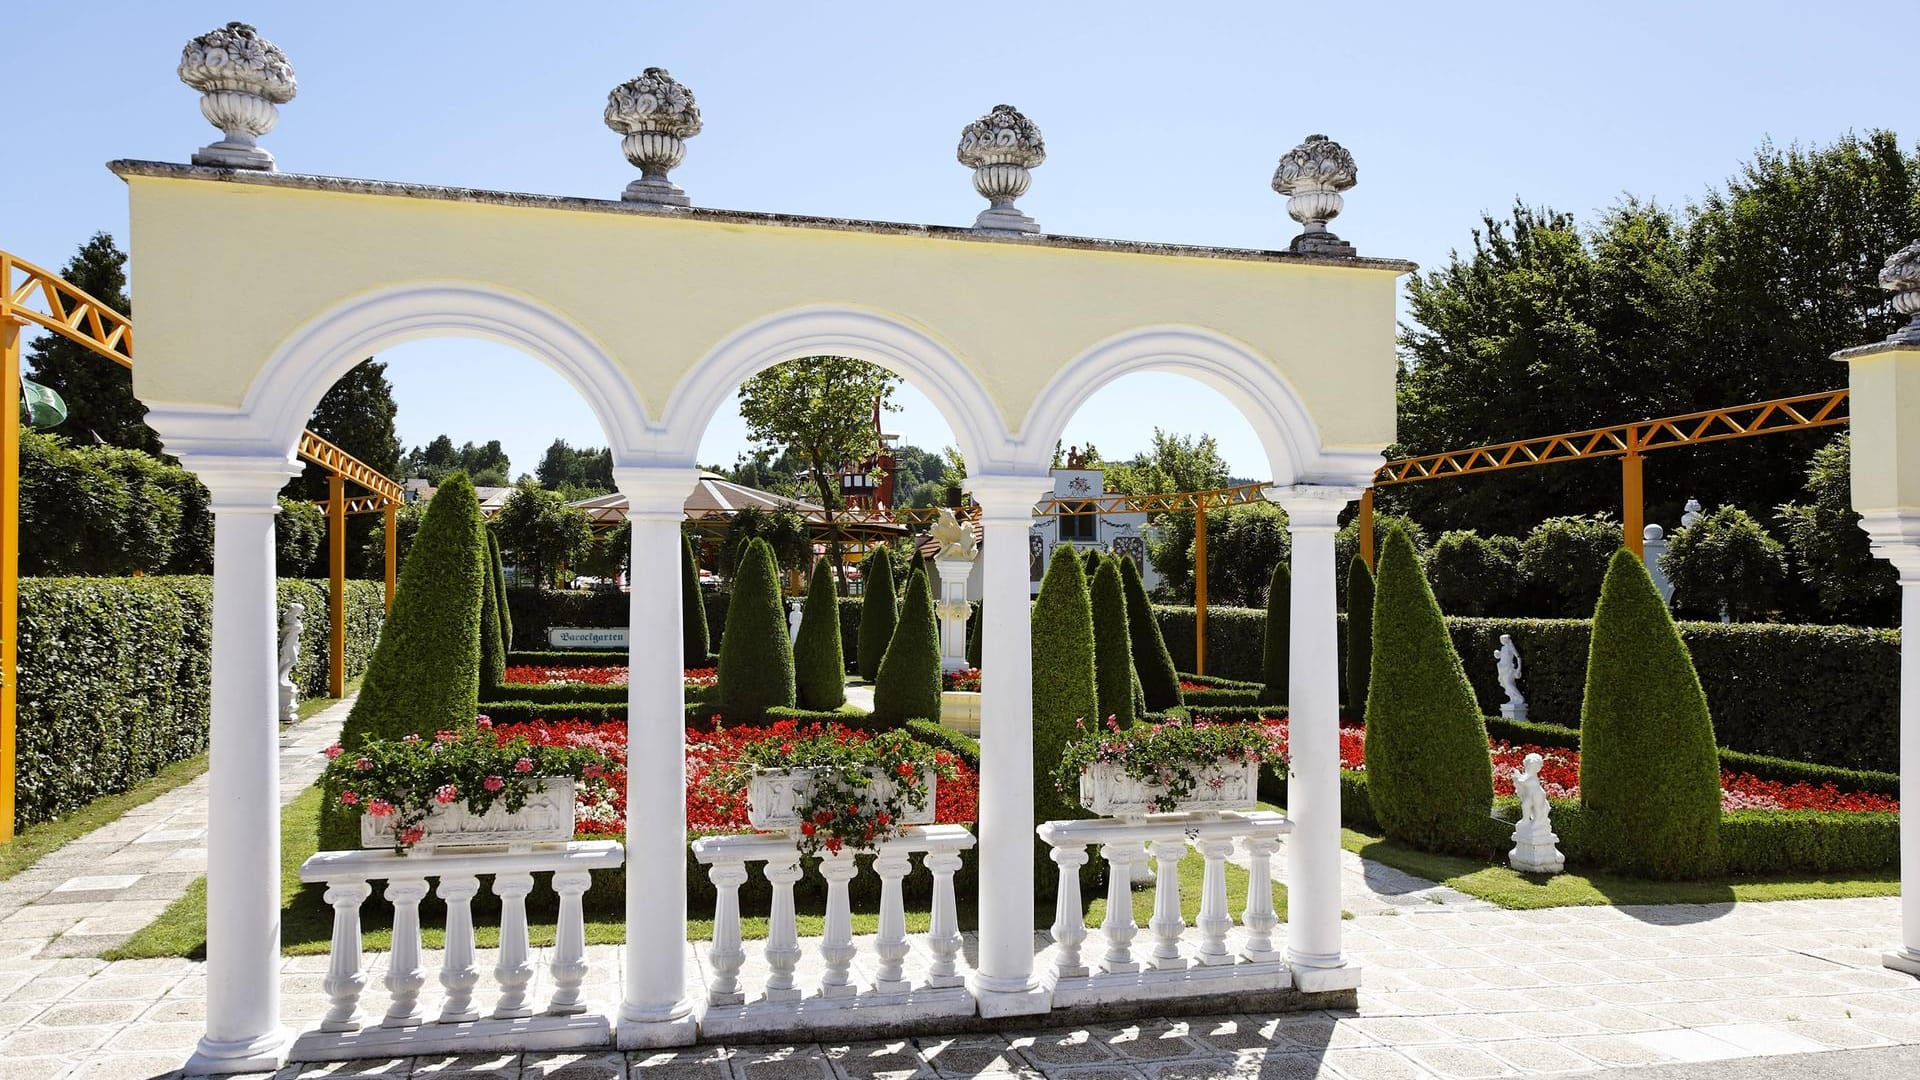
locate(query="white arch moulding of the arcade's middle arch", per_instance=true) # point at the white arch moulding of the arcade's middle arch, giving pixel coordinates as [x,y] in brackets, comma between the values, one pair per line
[840,331]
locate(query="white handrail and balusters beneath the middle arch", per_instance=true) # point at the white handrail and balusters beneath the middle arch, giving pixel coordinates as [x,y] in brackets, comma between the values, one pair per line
[729,856]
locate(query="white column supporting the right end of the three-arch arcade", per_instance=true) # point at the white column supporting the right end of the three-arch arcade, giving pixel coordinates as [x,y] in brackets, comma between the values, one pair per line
[1314,743]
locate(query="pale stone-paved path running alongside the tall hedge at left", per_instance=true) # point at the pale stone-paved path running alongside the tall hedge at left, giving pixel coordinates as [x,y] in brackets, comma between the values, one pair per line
[99,891]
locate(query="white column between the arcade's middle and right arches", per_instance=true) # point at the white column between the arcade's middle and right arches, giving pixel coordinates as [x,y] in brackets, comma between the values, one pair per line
[1003,981]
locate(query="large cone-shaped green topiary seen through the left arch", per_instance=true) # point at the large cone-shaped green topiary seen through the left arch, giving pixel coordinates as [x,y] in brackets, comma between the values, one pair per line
[425,675]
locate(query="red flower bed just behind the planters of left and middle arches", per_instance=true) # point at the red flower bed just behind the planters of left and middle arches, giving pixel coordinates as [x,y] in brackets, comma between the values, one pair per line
[711,806]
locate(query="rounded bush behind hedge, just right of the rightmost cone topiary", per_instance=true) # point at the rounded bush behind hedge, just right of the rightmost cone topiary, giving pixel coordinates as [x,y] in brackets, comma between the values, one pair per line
[1725,562]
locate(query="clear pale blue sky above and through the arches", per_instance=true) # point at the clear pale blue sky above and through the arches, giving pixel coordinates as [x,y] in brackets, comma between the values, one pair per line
[1163,124]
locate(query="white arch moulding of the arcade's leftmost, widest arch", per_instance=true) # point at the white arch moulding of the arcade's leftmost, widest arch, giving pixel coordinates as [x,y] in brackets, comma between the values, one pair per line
[329,345]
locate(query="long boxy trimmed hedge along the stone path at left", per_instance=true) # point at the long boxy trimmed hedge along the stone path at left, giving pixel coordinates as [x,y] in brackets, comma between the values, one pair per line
[116,675]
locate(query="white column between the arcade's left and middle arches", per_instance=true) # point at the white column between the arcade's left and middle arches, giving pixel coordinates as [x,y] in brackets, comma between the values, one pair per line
[656,1008]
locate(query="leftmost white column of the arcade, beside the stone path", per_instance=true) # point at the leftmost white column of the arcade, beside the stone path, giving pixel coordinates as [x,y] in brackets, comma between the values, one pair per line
[245,1031]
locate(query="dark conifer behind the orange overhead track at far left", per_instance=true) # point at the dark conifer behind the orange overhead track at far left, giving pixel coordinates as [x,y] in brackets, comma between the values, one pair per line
[99,393]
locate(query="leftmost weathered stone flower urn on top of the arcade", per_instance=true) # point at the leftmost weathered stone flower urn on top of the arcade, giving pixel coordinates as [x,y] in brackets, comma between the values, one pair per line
[241,80]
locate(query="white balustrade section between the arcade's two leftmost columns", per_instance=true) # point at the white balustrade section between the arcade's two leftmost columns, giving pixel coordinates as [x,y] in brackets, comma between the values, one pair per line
[350,875]
